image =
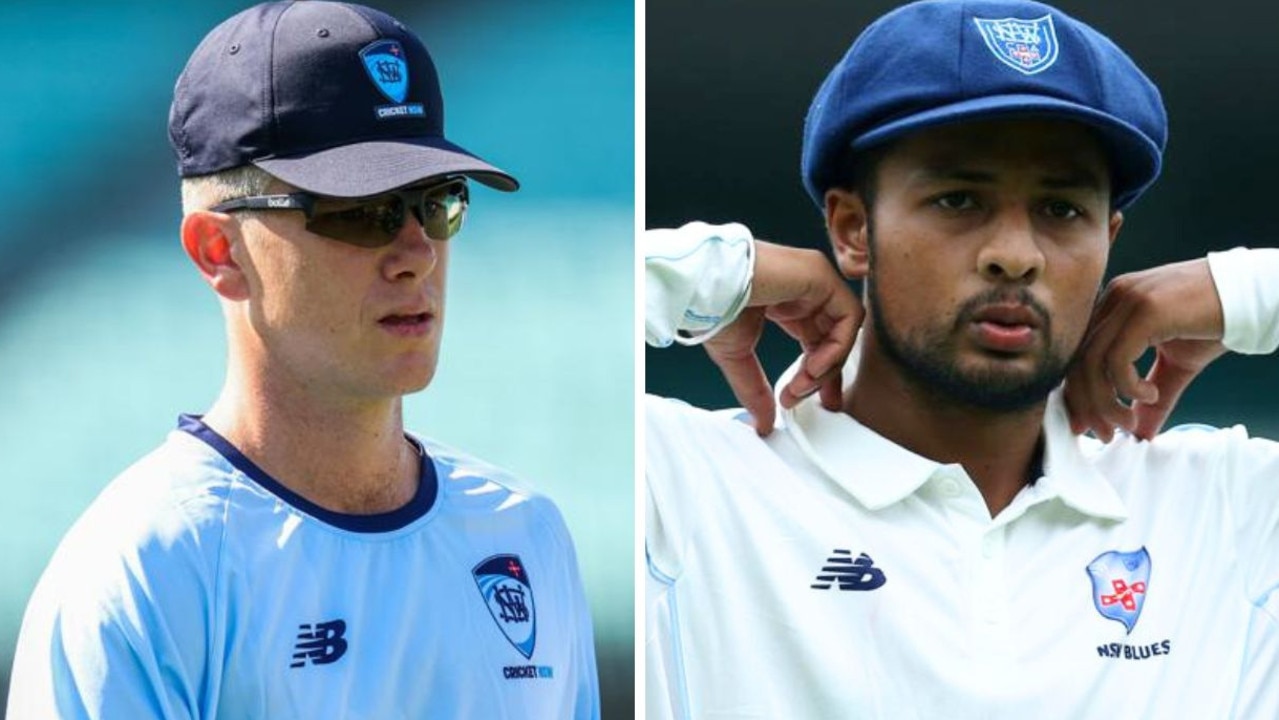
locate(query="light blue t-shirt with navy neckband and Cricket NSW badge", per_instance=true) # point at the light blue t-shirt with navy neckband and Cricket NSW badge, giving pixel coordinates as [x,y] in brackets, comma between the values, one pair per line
[199,588]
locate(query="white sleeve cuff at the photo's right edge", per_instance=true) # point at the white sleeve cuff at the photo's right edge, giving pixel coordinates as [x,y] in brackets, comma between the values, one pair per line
[1248,282]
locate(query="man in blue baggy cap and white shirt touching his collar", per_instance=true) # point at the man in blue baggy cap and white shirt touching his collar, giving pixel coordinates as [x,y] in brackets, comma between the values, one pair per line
[918,529]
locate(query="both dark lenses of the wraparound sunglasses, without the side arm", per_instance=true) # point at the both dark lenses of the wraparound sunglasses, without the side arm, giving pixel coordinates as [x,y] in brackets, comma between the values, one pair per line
[377,222]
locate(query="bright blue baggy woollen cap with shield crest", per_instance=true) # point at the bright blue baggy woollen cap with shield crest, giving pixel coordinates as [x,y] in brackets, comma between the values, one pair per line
[943,62]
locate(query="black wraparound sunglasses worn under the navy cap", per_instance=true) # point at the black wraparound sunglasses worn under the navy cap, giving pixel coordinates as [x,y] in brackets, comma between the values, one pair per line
[372,222]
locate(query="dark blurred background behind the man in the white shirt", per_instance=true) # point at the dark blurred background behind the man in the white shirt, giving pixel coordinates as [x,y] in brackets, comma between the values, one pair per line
[728,84]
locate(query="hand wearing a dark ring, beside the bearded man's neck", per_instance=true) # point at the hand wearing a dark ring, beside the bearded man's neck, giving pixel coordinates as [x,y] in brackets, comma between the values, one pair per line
[1175,310]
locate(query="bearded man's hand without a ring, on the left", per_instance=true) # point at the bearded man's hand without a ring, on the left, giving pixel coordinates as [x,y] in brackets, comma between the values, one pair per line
[803,293]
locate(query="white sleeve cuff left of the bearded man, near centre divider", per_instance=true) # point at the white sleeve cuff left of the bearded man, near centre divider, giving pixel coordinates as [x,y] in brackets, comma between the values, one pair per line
[698,279]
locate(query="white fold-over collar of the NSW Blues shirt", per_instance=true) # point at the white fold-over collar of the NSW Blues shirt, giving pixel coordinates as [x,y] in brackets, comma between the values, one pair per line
[879,473]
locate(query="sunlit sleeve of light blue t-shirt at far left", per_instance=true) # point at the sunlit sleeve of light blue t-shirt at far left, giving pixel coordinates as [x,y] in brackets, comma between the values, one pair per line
[116,631]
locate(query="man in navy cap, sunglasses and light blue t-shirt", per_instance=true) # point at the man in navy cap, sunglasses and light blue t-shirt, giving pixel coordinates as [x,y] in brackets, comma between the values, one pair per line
[295,553]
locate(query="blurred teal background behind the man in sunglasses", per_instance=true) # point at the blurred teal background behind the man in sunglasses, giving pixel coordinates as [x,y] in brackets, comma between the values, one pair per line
[107,332]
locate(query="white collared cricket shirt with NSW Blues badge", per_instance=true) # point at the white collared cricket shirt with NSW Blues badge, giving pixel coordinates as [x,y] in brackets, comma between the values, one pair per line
[827,572]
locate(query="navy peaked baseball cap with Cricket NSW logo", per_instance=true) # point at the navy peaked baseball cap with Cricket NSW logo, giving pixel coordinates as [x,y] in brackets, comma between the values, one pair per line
[332,98]
